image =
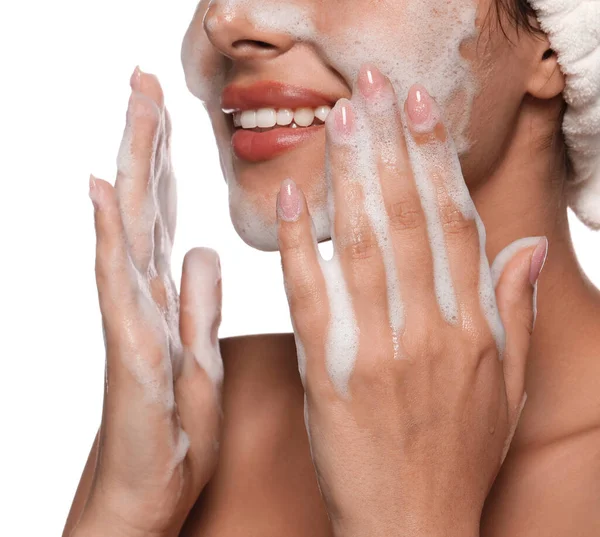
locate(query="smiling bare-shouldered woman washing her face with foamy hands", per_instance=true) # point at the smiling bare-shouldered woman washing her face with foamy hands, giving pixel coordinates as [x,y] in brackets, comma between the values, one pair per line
[155,468]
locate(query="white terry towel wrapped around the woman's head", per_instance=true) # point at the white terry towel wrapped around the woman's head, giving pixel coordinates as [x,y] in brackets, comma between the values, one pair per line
[573,28]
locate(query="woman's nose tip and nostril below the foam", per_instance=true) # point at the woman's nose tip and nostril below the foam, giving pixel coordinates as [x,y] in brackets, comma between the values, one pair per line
[234,36]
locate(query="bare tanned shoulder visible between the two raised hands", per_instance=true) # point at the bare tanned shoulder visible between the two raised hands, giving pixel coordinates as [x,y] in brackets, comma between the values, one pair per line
[265,483]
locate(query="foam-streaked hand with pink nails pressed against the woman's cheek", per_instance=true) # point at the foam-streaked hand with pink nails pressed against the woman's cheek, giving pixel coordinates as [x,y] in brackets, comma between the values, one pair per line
[412,389]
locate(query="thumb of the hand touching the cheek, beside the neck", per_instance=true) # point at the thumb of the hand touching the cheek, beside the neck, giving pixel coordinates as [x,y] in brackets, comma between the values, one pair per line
[515,272]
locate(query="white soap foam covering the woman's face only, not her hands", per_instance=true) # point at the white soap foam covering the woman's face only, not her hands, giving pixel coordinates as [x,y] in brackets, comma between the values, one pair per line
[428,51]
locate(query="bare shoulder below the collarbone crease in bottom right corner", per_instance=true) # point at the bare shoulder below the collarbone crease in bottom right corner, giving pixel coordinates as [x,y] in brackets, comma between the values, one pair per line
[549,490]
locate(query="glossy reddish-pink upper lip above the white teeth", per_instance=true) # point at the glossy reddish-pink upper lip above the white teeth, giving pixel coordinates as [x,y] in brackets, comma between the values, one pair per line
[271,94]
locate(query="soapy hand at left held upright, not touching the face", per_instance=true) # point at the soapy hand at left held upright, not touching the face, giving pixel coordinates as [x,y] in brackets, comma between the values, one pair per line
[158,441]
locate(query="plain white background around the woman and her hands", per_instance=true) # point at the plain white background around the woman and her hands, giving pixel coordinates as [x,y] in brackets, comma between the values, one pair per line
[64,89]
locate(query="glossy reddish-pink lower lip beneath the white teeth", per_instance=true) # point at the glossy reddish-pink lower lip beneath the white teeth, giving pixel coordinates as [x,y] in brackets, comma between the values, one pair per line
[254,146]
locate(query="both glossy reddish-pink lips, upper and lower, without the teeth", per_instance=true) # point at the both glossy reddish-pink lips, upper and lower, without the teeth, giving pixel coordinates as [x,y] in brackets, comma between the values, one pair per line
[257,145]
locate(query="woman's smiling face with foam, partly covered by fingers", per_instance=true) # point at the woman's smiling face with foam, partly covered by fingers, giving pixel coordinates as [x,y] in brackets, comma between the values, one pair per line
[290,60]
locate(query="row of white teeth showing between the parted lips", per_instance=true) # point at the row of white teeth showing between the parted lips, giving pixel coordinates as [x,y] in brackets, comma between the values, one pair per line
[266,118]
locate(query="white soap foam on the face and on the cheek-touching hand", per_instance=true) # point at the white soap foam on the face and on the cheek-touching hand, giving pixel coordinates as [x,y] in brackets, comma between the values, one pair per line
[429,53]
